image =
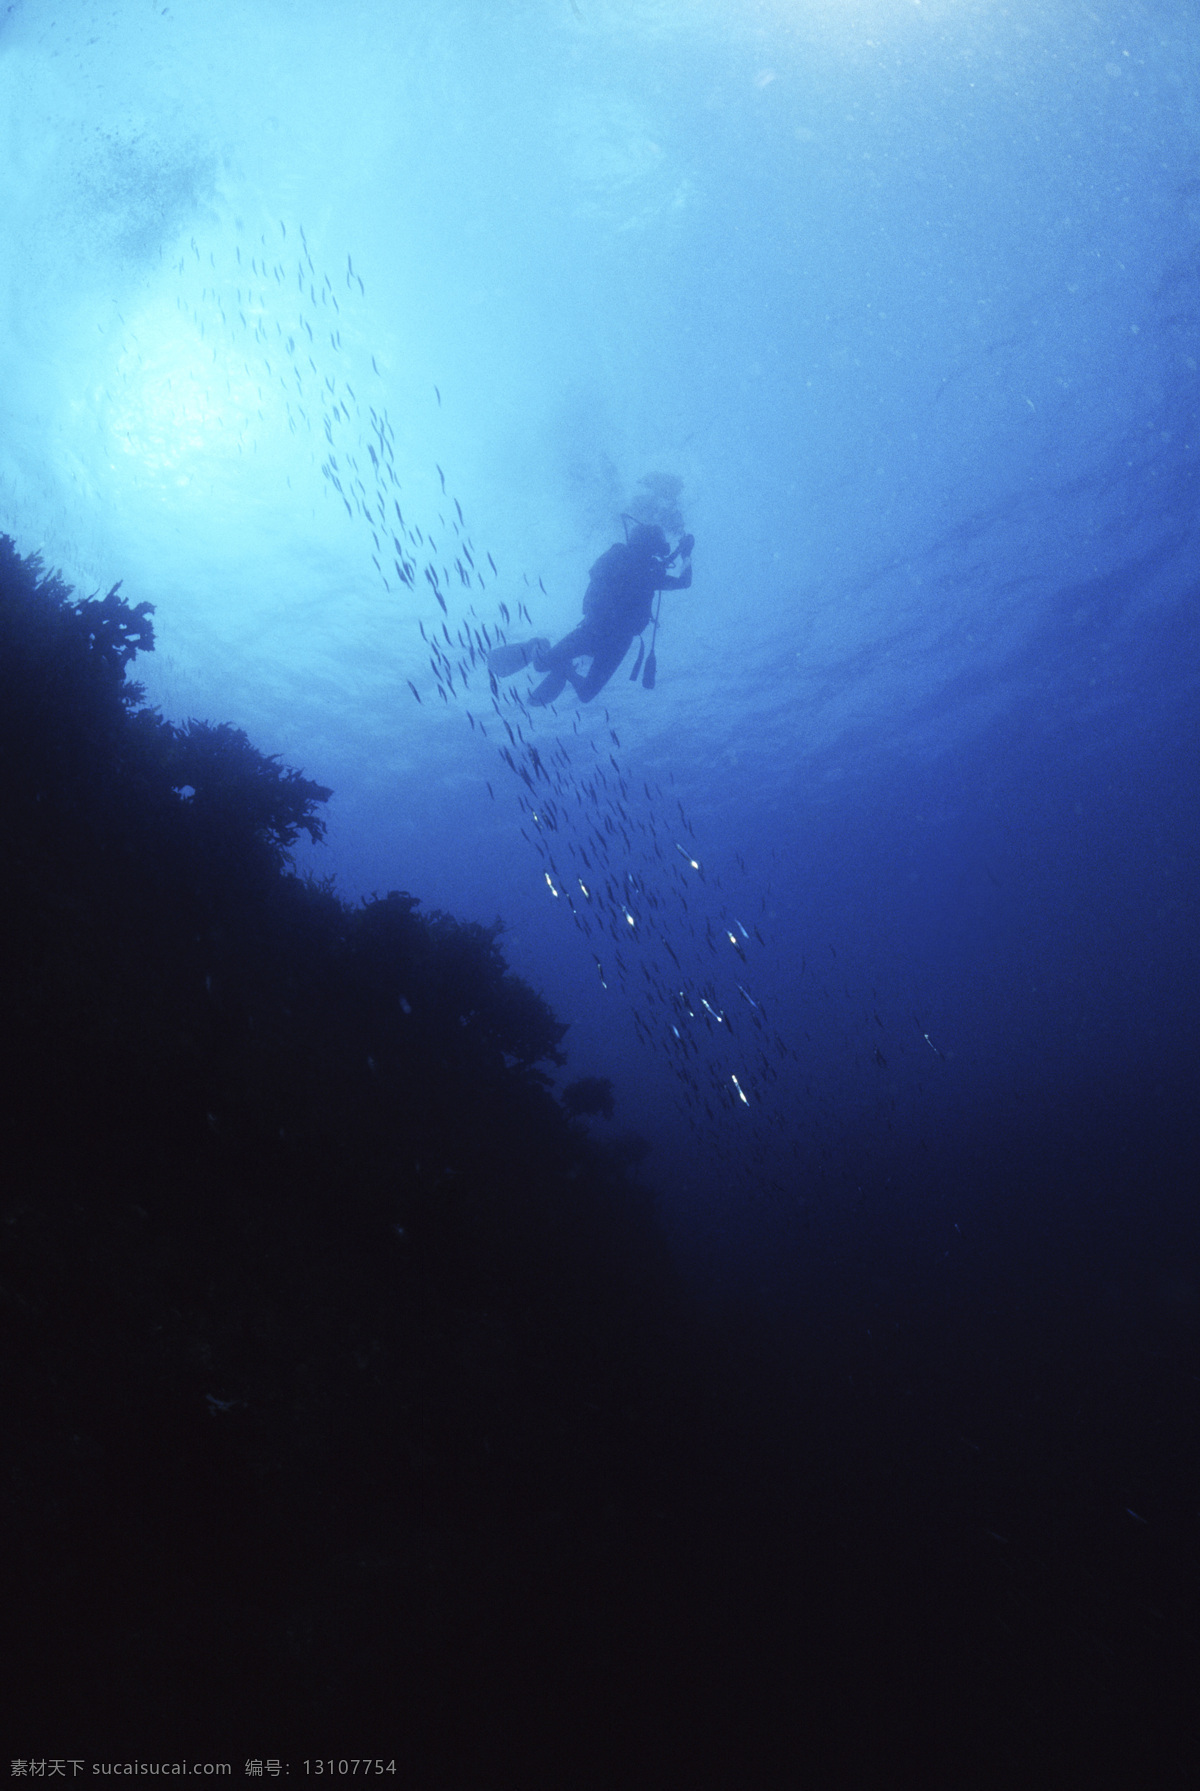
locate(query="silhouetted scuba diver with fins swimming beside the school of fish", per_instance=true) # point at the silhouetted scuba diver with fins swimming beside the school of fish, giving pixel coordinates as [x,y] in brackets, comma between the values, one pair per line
[619,604]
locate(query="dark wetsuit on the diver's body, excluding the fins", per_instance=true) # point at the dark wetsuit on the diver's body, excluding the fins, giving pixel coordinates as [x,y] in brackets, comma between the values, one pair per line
[617,608]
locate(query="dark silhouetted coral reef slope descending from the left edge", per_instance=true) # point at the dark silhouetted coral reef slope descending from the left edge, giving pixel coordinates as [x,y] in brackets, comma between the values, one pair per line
[334,1346]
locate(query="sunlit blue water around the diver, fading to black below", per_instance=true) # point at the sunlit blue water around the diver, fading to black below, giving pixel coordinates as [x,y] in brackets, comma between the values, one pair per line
[905,295]
